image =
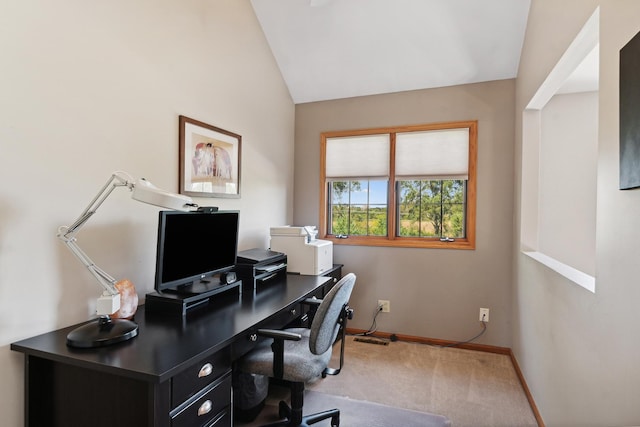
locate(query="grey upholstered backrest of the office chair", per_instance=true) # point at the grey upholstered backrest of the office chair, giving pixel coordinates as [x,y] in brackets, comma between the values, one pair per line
[325,326]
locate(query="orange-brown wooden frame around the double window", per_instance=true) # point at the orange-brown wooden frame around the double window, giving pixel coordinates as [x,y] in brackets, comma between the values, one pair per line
[392,240]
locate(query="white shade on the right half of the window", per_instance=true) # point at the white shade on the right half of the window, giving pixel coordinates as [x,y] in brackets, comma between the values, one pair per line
[437,154]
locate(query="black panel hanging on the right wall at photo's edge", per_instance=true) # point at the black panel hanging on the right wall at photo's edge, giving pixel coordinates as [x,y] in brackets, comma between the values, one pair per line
[630,114]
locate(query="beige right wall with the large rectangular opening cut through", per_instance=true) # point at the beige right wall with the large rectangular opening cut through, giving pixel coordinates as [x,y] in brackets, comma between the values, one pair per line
[579,350]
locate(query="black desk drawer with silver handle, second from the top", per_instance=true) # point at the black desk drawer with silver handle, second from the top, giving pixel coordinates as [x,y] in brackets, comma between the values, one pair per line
[206,409]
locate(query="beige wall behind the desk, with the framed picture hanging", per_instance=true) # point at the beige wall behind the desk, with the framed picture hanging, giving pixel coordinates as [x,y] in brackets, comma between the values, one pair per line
[92,87]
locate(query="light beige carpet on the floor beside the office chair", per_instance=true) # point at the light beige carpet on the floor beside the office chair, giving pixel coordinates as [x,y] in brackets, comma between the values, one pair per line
[470,388]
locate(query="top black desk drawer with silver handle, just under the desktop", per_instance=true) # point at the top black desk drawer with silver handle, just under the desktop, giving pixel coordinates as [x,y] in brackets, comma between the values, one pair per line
[198,376]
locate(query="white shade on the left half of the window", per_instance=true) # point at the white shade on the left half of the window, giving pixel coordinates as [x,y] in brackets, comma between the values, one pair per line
[357,157]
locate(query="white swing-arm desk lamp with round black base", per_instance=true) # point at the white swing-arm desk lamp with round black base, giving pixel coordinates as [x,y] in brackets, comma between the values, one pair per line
[107,330]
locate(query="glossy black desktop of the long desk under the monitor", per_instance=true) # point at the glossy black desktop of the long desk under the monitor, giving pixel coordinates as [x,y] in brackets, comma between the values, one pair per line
[154,354]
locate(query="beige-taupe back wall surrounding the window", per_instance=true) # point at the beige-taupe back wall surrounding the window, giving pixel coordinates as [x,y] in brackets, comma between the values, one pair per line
[433,293]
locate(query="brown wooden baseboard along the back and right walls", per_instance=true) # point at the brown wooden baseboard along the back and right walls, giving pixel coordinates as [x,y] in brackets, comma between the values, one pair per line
[467,346]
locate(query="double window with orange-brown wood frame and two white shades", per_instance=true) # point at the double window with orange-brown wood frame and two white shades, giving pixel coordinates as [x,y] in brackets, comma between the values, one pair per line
[411,186]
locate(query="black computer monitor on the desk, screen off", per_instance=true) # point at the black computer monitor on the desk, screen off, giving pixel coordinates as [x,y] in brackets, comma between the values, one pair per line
[193,246]
